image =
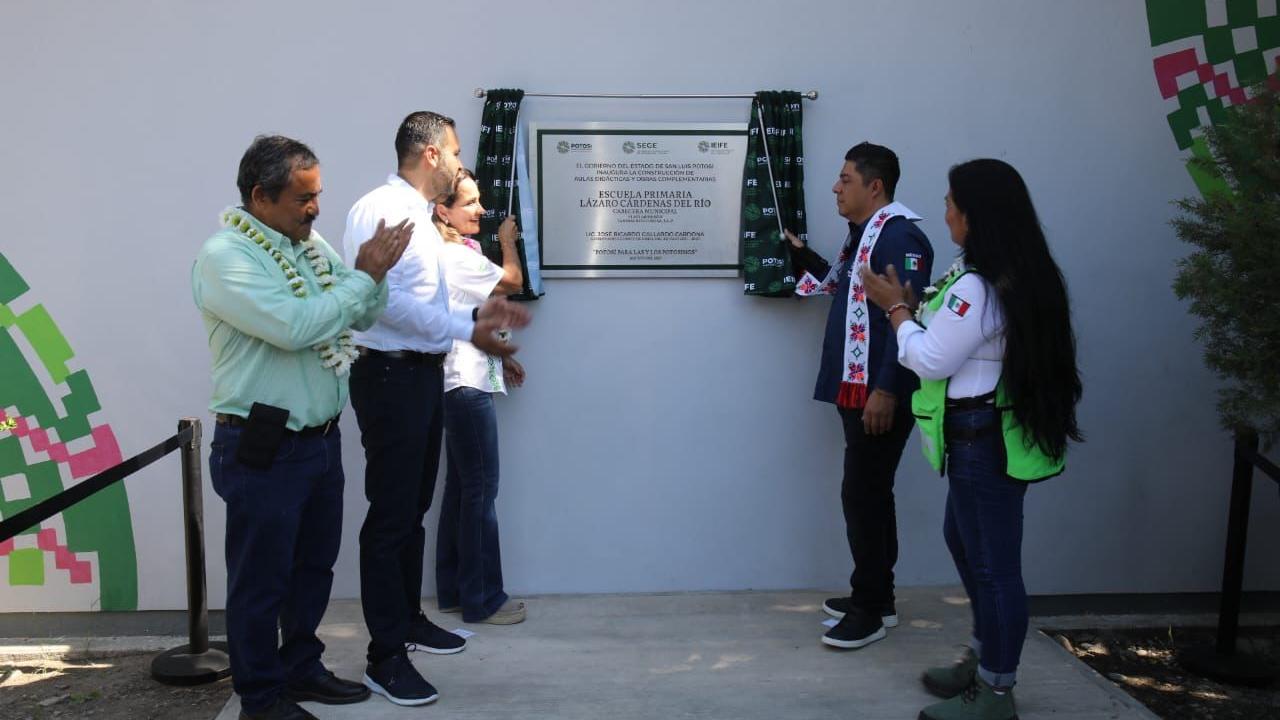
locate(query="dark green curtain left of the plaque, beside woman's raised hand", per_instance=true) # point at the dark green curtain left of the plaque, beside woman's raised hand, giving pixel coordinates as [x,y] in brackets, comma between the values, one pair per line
[496,175]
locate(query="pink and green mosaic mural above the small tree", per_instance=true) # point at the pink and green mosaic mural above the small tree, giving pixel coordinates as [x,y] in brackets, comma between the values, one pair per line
[1209,56]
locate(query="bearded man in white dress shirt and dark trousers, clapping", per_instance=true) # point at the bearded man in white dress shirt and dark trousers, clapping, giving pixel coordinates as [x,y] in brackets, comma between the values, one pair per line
[397,393]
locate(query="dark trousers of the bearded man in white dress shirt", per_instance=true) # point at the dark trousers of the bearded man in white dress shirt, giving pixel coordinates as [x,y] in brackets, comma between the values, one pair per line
[399,404]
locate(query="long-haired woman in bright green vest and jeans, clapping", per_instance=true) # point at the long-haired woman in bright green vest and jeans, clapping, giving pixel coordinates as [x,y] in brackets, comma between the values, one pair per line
[994,348]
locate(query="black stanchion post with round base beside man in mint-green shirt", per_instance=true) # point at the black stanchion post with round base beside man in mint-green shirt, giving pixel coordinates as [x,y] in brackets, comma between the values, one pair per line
[199,662]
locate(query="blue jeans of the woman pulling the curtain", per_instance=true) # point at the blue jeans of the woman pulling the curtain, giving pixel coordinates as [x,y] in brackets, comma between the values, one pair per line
[468,558]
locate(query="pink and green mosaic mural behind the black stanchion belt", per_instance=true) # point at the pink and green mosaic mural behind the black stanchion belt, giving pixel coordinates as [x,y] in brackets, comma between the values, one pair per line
[52,436]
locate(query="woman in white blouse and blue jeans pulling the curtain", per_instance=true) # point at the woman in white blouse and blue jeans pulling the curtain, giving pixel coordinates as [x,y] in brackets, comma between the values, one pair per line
[468,559]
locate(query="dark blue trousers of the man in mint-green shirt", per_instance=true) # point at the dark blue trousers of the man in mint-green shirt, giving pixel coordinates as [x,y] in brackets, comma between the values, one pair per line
[284,531]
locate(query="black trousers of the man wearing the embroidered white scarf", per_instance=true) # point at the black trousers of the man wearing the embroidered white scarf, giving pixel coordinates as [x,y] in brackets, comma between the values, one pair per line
[867,496]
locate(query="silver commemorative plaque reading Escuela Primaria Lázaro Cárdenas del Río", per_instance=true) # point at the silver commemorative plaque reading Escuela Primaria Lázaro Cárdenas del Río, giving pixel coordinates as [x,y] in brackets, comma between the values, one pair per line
[639,200]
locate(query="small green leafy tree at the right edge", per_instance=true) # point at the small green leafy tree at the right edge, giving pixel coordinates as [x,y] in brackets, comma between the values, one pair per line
[1233,276]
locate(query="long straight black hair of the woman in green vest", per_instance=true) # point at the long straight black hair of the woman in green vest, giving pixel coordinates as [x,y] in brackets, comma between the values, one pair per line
[1007,247]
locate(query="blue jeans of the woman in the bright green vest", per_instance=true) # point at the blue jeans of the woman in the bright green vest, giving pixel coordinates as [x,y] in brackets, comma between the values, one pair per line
[984,530]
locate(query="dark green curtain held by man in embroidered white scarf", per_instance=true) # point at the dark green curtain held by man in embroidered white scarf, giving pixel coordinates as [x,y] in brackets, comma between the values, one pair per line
[775,160]
